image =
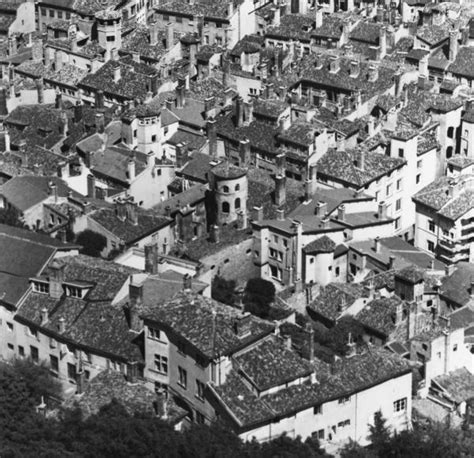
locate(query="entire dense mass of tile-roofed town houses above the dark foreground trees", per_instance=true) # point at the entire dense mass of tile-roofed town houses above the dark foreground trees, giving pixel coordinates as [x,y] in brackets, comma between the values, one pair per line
[326,147]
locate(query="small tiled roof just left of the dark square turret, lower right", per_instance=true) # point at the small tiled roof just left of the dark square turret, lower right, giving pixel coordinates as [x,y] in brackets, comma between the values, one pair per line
[380,314]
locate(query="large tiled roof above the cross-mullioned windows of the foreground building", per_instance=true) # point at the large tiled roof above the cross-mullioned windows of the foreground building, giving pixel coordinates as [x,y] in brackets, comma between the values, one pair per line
[191,316]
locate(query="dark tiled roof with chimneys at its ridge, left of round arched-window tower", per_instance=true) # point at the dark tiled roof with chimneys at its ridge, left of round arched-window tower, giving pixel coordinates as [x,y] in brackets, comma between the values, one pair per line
[148,222]
